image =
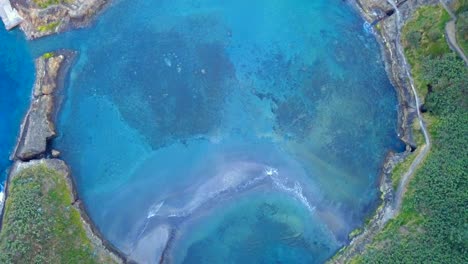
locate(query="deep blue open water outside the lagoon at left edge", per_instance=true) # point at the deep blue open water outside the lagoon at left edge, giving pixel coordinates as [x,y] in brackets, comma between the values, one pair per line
[16,80]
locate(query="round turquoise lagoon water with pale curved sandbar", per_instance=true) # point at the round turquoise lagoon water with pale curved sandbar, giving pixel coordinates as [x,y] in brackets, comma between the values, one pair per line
[208,131]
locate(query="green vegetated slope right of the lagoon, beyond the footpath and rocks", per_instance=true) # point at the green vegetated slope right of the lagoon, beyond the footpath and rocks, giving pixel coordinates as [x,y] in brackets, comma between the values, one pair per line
[433,224]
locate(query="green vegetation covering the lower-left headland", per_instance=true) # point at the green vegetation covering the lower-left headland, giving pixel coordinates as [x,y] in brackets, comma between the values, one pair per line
[40,224]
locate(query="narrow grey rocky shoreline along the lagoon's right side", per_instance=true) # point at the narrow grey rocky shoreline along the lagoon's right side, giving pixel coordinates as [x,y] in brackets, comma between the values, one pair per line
[388,37]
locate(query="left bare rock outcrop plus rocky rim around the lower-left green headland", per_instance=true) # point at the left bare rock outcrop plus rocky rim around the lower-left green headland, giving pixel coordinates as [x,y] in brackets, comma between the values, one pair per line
[38,129]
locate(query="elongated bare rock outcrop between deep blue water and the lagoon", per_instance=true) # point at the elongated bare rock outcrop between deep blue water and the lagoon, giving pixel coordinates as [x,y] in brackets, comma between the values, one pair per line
[38,126]
